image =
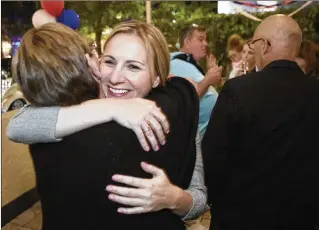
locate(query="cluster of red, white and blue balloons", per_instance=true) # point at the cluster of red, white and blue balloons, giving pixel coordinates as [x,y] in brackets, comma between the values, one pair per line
[53,11]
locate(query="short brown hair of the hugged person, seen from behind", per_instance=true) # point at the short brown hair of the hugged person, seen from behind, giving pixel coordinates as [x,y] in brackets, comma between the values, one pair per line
[51,69]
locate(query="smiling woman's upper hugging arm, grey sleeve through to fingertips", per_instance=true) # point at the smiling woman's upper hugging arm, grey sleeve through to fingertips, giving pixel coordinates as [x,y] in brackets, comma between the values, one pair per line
[49,124]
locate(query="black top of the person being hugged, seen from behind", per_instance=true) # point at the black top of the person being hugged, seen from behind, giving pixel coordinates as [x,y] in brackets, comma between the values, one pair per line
[71,175]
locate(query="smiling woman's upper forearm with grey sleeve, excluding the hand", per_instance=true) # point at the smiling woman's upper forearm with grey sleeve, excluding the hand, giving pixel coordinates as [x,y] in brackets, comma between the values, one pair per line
[49,124]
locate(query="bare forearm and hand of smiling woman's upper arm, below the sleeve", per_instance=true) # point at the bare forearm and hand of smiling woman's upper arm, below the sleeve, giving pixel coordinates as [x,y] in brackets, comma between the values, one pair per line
[130,113]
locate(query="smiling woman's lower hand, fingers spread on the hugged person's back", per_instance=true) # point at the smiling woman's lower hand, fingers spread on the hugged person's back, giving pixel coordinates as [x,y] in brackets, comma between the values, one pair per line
[149,195]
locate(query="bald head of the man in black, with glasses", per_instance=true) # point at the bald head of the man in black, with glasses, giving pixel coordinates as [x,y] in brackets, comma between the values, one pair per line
[281,39]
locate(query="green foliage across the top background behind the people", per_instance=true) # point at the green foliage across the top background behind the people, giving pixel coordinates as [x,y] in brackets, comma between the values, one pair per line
[170,17]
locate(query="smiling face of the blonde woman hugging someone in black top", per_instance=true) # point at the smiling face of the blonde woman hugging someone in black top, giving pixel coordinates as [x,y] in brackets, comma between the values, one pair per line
[124,67]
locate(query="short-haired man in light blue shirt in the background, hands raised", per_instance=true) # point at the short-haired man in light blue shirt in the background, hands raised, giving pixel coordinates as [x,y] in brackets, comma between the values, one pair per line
[193,45]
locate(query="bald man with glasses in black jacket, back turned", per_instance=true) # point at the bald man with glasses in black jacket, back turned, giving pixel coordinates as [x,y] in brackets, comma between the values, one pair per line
[261,147]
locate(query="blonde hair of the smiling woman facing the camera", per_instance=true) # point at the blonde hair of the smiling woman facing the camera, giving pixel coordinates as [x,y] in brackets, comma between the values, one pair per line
[155,45]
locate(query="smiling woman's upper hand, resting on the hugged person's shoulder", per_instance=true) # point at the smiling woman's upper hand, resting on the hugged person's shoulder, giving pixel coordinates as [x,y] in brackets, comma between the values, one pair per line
[145,118]
